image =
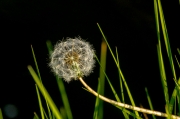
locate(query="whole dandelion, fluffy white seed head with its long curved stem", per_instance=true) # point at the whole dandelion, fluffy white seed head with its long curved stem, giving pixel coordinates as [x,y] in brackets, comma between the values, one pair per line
[74,58]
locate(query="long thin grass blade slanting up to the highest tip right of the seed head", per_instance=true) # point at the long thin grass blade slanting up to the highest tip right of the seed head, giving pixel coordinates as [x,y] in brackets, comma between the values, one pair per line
[119,70]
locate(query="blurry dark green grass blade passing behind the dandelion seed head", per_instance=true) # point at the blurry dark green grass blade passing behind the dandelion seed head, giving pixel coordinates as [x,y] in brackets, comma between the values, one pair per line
[61,87]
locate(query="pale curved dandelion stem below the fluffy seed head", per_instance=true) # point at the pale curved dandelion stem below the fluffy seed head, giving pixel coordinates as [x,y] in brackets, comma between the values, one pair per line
[157,113]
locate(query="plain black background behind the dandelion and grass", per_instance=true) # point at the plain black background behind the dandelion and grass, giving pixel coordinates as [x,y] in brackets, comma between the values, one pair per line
[127,24]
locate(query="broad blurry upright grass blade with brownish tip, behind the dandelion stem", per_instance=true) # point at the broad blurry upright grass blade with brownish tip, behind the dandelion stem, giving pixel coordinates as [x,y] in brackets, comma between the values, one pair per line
[101,84]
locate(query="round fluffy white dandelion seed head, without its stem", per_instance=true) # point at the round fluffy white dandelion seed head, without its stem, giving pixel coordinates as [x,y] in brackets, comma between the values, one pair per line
[72,58]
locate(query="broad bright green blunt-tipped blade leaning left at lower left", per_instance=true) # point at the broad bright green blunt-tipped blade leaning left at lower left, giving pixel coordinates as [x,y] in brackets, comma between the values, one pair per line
[45,93]
